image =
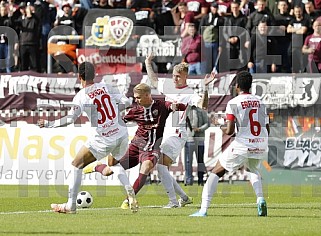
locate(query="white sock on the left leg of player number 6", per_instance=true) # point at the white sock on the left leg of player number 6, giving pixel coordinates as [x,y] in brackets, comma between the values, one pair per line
[208,191]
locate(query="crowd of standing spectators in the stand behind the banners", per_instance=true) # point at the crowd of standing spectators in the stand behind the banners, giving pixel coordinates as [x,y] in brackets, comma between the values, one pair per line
[251,30]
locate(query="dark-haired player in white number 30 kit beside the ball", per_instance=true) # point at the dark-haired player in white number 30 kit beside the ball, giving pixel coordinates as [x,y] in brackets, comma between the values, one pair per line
[100,103]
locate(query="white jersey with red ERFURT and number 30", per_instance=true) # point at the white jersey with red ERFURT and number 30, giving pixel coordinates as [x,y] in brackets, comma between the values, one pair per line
[100,103]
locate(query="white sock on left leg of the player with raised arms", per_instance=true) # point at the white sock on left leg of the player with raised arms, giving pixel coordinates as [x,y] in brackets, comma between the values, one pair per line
[167,182]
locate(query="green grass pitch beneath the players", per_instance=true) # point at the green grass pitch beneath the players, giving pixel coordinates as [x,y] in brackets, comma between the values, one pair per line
[292,210]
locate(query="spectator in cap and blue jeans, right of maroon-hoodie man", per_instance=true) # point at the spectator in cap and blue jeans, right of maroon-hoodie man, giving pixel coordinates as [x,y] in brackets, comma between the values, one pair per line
[209,28]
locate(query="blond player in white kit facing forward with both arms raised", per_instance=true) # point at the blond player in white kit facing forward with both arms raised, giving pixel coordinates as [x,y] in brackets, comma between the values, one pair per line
[175,135]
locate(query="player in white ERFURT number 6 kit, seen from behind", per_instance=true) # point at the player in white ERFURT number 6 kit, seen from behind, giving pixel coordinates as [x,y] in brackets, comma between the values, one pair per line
[250,146]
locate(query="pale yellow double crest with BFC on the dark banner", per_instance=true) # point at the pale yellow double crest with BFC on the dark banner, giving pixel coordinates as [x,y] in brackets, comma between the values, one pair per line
[110,31]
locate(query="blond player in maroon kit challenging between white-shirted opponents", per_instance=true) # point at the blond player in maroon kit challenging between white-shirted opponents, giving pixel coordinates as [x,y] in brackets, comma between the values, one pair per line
[150,116]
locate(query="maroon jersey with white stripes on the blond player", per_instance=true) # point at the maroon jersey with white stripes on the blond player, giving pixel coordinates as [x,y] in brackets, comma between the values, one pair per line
[151,122]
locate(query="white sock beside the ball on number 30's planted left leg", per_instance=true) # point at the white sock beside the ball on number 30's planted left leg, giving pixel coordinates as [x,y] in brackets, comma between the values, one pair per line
[74,186]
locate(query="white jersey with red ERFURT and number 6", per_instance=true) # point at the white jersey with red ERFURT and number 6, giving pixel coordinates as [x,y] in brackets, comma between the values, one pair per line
[249,114]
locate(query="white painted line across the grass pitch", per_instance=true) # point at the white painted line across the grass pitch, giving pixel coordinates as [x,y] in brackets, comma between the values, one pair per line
[114,208]
